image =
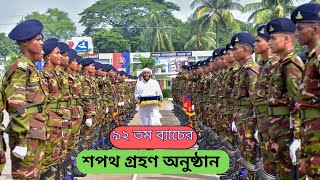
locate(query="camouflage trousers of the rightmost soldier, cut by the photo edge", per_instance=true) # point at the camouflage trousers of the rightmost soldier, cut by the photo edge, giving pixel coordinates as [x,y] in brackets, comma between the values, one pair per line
[310,156]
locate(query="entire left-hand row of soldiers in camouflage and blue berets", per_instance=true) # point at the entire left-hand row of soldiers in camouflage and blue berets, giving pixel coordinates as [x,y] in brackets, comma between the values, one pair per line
[70,100]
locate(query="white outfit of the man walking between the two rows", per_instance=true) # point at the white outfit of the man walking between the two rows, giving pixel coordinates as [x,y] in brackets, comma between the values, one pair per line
[149,113]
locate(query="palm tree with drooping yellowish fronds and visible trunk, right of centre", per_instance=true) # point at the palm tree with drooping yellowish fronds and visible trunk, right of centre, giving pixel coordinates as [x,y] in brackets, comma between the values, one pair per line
[215,13]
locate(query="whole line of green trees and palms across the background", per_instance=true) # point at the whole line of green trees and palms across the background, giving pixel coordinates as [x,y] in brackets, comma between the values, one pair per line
[149,25]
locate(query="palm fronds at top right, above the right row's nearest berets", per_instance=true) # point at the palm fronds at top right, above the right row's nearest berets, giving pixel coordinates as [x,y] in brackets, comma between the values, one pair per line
[266,10]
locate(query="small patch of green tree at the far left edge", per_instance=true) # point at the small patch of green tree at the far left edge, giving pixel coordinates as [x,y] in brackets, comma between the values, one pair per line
[7,46]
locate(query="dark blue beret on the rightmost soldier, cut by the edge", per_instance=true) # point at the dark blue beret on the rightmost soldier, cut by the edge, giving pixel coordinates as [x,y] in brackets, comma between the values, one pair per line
[306,13]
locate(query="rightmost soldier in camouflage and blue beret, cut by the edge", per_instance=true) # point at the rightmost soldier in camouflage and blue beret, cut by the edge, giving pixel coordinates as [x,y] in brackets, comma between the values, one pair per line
[306,17]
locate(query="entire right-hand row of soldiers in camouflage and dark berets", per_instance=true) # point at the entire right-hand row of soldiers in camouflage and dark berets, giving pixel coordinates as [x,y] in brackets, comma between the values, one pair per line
[273,102]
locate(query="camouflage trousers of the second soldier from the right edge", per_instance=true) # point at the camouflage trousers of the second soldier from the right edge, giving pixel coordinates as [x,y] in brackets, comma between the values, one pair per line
[279,129]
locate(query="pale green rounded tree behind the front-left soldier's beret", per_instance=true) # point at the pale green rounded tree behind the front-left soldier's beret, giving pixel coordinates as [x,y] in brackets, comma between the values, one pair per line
[57,24]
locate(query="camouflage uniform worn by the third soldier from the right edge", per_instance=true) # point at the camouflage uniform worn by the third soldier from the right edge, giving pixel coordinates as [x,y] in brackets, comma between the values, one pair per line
[261,103]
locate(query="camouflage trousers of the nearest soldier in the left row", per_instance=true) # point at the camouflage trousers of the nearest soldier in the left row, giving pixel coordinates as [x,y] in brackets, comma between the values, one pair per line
[30,166]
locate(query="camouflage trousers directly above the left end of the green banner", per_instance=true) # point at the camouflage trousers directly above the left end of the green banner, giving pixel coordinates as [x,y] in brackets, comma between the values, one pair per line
[77,118]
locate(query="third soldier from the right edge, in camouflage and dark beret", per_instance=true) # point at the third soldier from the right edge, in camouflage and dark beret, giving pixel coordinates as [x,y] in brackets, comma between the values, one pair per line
[267,66]
